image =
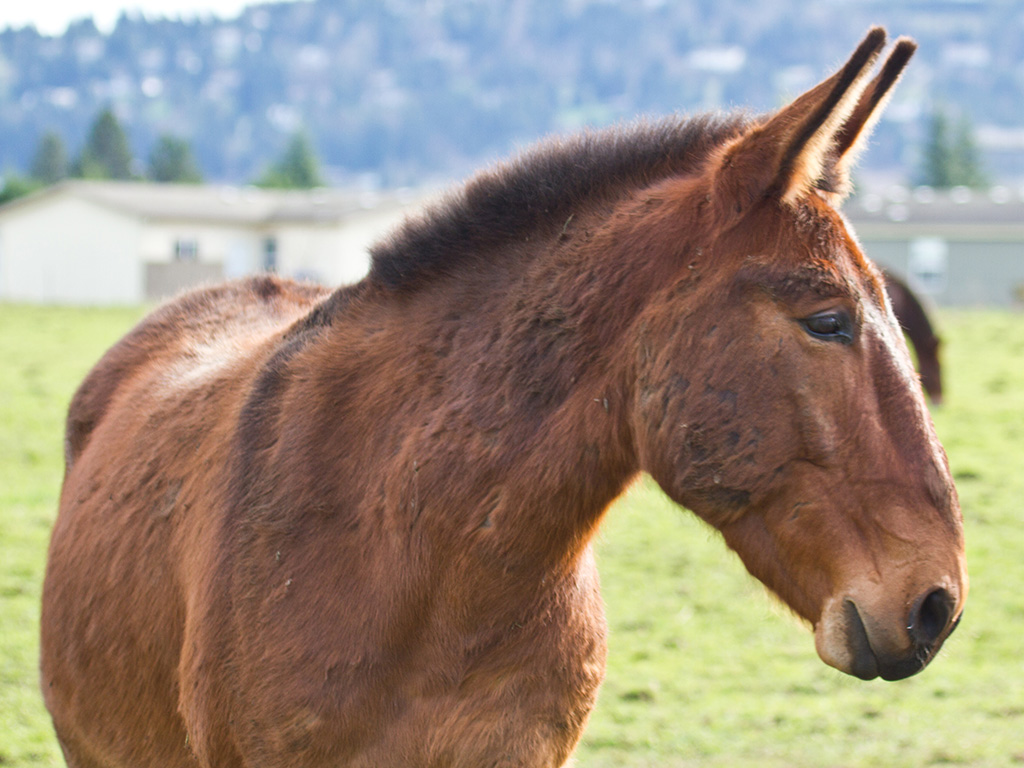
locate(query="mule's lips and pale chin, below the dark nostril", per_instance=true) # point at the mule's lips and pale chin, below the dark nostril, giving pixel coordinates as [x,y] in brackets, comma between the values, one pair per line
[844,642]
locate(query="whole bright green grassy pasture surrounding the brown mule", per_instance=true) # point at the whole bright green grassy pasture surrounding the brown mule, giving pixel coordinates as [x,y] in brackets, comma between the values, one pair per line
[704,668]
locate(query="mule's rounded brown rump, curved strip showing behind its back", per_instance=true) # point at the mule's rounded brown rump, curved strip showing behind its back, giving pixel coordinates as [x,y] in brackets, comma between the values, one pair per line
[222,310]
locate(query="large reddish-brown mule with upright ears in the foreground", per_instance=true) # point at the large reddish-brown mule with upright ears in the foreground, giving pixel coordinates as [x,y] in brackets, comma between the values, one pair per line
[304,528]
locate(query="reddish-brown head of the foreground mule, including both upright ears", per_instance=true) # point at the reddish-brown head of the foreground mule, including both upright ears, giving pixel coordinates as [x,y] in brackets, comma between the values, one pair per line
[777,399]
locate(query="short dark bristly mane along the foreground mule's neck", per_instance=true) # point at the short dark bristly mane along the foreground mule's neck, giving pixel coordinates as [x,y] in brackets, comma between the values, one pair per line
[536,193]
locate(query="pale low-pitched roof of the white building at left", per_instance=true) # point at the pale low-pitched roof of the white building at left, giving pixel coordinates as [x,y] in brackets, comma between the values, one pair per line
[221,204]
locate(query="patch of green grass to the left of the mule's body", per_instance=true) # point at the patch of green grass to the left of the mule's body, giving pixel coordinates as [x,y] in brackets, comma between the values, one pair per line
[45,354]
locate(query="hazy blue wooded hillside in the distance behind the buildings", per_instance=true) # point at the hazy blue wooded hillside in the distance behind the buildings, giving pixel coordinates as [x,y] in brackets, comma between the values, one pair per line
[395,92]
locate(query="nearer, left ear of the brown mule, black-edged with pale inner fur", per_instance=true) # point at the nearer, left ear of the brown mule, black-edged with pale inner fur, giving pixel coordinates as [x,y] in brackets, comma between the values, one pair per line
[793,151]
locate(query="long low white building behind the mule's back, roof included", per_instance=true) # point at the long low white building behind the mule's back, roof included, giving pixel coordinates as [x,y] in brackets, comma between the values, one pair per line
[125,243]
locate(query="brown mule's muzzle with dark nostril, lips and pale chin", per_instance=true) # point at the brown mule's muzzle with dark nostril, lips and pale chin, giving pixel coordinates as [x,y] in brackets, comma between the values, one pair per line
[858,646]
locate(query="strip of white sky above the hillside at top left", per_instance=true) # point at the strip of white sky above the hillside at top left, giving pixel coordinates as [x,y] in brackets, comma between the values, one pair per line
[53,17]
